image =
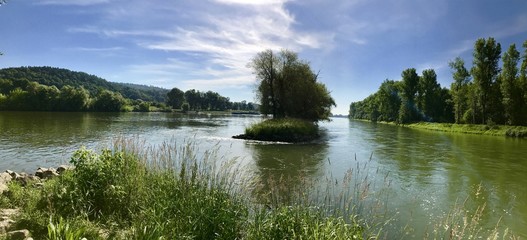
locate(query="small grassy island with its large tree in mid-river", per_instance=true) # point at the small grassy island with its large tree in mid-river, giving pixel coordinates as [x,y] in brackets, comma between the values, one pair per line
[288,90]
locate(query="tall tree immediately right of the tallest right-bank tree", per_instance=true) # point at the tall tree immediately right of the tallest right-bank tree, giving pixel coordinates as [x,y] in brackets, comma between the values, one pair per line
[510,87]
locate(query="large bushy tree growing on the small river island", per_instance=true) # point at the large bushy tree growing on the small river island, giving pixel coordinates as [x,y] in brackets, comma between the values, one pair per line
[287,87]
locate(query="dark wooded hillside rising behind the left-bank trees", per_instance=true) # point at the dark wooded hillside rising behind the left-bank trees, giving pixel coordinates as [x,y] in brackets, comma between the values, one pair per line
[59,77]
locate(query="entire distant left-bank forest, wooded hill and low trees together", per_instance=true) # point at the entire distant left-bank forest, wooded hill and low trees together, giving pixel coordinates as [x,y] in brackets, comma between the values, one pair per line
[56,89]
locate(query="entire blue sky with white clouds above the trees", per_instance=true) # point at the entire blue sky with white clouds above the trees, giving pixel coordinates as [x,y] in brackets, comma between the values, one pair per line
[206,44]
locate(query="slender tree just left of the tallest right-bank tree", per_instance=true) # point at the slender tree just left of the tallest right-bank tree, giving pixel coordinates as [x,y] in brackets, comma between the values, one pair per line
[459,88]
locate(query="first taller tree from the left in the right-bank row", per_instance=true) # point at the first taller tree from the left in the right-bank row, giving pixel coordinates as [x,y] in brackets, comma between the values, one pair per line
[408,111]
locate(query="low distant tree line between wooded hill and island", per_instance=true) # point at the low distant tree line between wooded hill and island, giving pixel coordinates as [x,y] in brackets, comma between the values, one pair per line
[205,101]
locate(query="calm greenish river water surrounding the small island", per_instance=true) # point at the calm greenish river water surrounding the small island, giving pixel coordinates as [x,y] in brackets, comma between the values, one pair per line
[421,174]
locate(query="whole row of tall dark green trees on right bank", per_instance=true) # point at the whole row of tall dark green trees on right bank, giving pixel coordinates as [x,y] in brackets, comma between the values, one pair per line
[485,94]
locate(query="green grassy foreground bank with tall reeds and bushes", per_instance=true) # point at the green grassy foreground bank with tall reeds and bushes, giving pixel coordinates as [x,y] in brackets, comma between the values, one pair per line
[135,192]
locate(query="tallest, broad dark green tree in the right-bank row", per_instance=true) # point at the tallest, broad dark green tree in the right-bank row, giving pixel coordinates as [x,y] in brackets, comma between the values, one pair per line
[485,71]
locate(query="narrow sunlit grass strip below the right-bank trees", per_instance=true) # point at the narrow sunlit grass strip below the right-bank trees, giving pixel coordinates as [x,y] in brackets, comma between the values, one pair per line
[493,130]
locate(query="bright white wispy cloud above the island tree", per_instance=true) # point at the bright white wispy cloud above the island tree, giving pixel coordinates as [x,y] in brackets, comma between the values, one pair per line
[224,36]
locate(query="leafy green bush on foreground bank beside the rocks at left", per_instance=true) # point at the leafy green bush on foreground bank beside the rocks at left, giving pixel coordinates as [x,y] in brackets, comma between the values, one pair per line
[99,184]
